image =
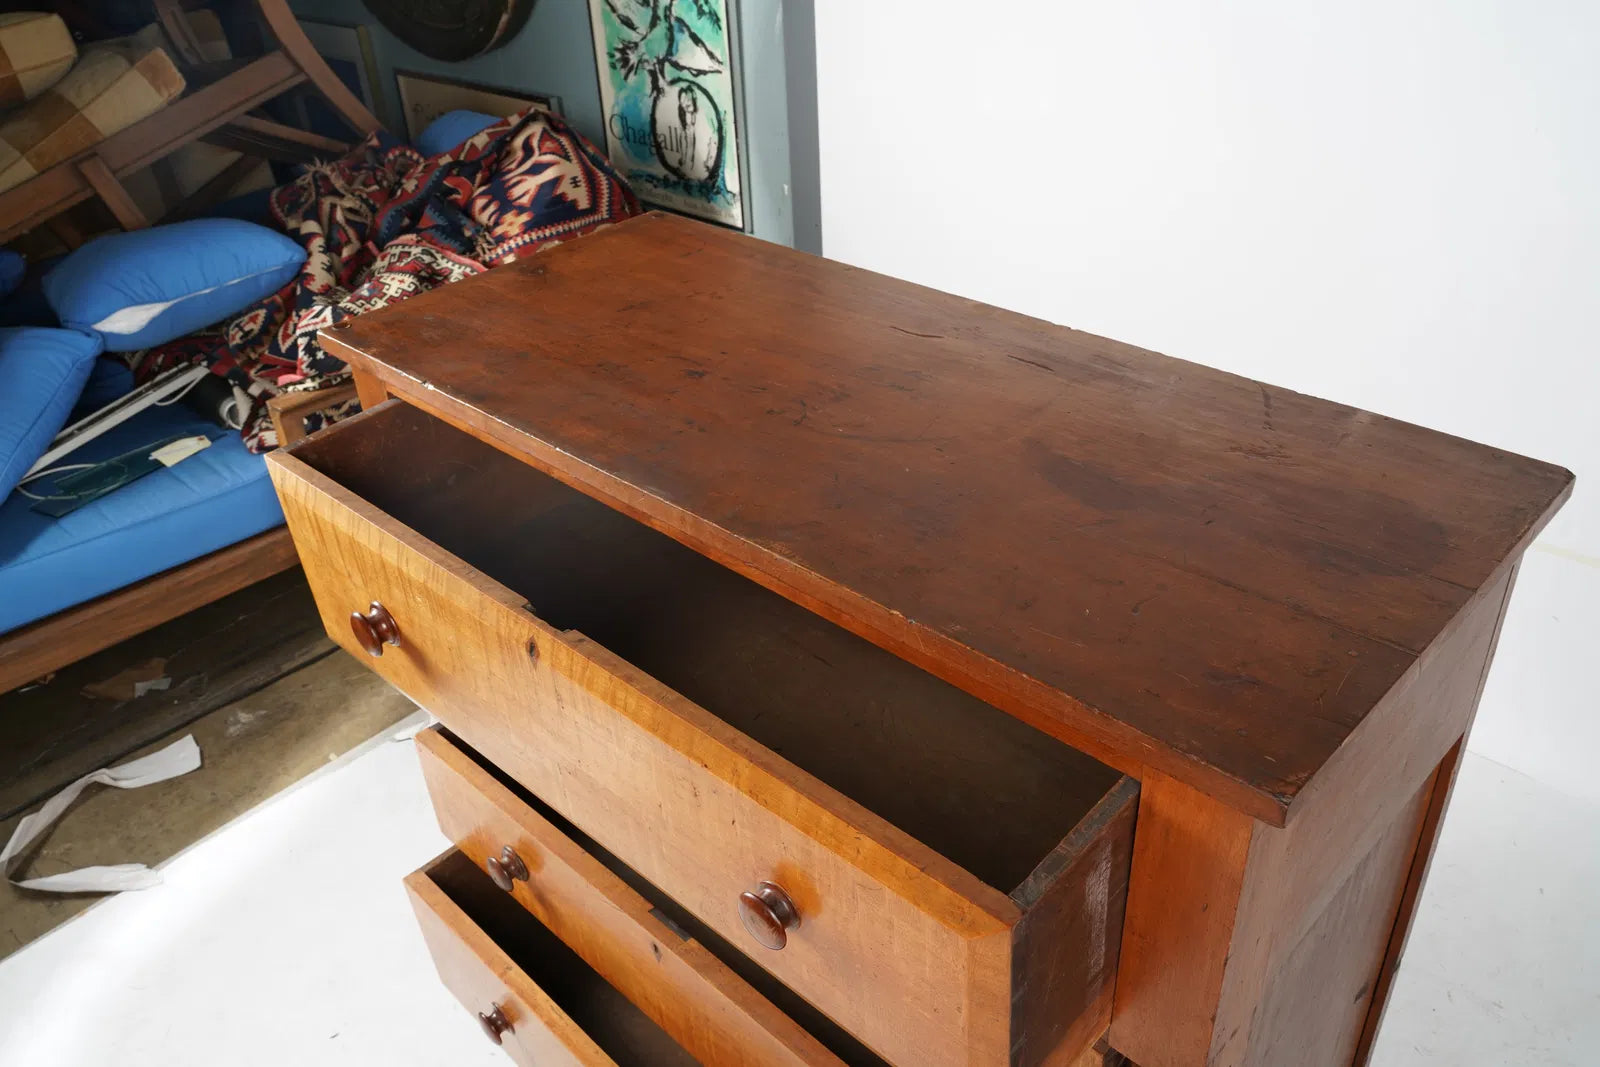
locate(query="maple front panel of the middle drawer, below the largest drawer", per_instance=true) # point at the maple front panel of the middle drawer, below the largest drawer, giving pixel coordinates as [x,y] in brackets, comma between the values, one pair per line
[674,980]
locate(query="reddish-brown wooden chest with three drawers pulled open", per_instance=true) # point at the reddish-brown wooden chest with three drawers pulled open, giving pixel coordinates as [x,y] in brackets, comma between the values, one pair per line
[834,671]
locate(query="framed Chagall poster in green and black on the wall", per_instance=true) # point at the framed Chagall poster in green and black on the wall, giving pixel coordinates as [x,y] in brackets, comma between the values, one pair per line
[668,97]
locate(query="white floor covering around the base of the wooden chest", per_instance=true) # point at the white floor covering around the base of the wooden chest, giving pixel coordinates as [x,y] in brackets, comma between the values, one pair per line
[287,940]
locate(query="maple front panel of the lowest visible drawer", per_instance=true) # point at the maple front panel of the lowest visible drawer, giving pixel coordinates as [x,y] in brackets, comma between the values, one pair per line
[532,1028]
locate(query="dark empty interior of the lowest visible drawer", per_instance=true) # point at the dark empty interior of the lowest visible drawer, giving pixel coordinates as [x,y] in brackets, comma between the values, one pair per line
[612,1021]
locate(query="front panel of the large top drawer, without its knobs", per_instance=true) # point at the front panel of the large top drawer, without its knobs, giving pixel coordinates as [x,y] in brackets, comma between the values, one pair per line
[895,943]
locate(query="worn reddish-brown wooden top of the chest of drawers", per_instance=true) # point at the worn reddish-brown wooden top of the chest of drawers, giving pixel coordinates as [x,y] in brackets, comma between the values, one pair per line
[1159,562]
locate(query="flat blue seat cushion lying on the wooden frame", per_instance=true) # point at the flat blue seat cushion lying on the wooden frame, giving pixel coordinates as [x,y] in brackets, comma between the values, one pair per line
[209,502]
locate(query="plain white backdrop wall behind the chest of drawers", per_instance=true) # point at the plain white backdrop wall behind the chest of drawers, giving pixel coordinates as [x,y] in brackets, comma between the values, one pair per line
[1390,204]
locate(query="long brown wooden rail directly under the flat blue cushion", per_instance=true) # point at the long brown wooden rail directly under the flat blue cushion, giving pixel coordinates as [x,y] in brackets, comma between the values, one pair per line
[68,636]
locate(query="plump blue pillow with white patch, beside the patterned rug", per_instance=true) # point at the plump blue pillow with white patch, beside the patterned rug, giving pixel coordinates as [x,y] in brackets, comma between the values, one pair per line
[150,287]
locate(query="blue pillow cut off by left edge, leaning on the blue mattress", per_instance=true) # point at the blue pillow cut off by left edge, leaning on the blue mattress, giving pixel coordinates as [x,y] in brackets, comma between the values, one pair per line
[42,372]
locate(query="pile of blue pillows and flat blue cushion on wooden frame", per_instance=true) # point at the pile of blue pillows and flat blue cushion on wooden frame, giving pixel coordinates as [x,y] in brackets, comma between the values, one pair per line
[122,294]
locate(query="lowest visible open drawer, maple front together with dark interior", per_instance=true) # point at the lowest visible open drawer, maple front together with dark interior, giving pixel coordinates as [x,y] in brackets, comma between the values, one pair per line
[532,994]
